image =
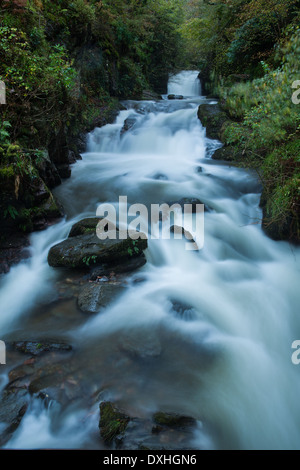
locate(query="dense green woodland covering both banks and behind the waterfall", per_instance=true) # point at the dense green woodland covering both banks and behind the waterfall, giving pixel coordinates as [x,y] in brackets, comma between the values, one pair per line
[66,66]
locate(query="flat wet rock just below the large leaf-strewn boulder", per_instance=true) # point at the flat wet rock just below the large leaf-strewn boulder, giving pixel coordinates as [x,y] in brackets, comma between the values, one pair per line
[95,296]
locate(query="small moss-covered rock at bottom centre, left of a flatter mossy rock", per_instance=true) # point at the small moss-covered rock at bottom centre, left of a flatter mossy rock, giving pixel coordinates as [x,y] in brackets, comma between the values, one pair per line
[113,422]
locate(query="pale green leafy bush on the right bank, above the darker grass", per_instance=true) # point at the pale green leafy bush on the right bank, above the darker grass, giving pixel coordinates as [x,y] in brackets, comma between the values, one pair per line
[265,105]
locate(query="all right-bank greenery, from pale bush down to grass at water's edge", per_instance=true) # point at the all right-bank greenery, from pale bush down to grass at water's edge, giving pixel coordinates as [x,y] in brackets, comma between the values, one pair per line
[267,131]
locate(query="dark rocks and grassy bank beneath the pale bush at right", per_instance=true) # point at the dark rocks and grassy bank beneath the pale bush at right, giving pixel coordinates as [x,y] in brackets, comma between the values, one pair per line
[275,169]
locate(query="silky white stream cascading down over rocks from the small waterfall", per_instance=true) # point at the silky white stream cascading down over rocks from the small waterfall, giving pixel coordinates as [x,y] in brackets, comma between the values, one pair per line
[215,325]
